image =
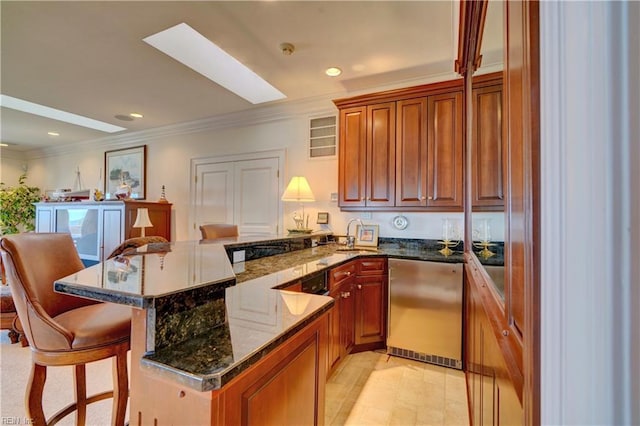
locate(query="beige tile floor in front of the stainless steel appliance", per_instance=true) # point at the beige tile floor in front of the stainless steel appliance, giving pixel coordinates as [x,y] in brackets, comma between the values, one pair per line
[372,388]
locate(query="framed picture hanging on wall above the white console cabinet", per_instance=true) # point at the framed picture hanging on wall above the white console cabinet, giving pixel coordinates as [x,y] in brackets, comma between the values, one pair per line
[126,166]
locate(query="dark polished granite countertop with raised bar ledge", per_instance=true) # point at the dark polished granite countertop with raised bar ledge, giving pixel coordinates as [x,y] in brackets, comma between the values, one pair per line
[214,319]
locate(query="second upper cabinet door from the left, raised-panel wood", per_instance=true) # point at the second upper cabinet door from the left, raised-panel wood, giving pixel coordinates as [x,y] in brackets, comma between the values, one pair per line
[381,154]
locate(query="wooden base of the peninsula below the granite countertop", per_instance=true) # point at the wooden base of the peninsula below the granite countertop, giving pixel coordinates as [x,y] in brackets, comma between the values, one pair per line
[287,386]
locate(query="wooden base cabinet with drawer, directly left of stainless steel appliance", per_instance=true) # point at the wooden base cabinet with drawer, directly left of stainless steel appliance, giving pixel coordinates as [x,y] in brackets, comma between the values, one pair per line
[371,291]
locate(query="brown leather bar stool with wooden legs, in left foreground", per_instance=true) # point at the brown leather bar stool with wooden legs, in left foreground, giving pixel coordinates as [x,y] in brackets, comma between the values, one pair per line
[64,330]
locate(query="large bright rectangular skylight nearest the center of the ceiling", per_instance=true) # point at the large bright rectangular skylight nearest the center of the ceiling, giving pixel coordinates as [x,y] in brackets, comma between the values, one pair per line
[186,45]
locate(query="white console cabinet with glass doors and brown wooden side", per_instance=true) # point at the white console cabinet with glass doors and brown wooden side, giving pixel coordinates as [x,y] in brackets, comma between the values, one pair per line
[99,227]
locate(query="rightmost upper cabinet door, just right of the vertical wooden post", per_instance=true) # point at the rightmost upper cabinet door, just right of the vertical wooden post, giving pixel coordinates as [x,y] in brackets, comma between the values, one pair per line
[487,144]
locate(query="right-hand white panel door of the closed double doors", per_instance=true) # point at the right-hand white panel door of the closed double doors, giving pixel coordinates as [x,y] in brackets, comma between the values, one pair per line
[256,196]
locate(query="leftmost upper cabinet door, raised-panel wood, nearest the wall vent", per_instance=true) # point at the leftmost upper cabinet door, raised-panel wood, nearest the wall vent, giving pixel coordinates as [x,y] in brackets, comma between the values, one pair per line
[352,164]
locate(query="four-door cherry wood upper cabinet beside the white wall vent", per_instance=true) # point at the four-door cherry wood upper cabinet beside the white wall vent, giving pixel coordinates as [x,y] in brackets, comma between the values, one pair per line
[402,149]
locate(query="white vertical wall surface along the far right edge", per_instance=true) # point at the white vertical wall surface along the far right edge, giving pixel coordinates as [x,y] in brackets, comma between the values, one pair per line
[590,213]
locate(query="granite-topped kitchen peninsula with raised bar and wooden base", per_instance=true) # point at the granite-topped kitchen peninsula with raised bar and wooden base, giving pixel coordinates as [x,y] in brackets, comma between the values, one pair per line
[219,343]
